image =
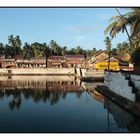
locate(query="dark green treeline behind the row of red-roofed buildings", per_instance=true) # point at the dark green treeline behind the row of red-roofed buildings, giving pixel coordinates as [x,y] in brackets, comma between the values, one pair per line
[36,49]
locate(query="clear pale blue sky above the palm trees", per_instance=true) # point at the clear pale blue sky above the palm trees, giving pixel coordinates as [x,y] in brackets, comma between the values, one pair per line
[69,27]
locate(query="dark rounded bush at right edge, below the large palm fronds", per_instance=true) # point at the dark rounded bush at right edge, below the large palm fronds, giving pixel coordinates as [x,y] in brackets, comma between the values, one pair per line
[136,57]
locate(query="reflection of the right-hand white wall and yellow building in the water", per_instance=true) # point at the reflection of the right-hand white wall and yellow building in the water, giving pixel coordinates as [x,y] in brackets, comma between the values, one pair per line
[122,118]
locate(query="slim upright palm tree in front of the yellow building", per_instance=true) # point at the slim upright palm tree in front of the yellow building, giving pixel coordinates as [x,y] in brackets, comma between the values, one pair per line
[108,47]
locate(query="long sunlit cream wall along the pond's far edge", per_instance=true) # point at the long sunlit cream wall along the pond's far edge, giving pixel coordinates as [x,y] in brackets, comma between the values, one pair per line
[38,71]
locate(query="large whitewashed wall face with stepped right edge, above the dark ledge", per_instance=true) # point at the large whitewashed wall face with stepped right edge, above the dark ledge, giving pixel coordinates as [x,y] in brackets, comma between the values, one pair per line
[117,82]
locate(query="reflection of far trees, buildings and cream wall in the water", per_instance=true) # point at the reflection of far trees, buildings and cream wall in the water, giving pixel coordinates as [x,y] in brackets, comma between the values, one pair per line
[39,90]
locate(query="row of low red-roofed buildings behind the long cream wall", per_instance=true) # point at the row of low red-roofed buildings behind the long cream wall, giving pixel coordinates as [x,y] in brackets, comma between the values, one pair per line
[52,61]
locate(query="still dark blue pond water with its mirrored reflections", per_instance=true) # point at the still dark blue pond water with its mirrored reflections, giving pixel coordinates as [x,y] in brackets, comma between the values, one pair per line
[59,104]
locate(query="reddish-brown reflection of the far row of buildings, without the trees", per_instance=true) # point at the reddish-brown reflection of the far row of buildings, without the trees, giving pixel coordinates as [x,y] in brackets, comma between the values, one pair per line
[57,86]
